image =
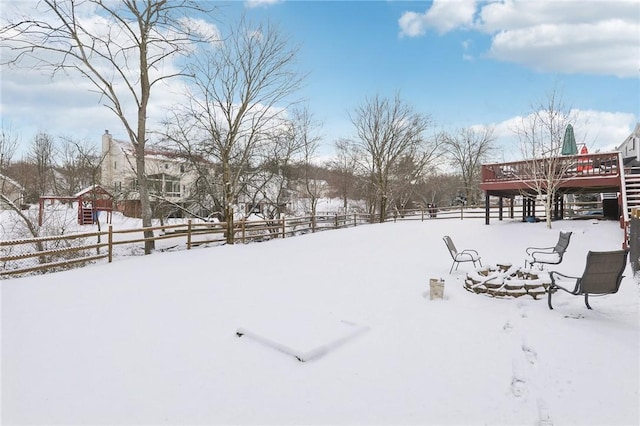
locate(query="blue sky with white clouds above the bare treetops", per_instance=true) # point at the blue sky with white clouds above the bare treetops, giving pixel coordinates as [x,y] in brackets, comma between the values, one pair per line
[465,63]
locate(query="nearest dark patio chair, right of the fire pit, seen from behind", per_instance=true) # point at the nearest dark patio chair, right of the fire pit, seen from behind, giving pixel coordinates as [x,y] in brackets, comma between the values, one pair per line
[602,275]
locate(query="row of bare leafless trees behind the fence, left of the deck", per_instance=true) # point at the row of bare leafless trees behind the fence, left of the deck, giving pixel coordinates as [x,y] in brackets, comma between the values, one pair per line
[240,111]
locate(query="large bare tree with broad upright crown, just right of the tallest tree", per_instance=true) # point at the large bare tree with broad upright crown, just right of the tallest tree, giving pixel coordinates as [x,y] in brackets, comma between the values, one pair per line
[240,88]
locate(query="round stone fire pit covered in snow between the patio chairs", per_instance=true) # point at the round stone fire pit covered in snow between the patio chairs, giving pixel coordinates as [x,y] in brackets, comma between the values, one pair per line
[506,280]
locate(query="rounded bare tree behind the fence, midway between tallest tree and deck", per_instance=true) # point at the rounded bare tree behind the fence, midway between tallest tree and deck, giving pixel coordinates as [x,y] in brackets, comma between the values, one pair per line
[388,130]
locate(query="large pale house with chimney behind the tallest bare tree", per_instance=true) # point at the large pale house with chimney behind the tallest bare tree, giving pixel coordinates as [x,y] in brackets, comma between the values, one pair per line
[168,176]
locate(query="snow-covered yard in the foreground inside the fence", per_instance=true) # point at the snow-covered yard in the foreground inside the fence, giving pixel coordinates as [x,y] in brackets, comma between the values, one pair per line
[152,340]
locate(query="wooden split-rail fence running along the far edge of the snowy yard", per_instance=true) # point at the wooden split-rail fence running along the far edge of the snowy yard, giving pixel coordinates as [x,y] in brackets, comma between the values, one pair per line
[55,253]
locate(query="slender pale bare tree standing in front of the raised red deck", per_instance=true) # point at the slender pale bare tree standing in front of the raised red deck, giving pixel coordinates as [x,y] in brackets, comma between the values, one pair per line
[541,135]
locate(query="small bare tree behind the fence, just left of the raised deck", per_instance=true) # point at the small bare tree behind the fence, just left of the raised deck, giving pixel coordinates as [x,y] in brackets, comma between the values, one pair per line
[466,150]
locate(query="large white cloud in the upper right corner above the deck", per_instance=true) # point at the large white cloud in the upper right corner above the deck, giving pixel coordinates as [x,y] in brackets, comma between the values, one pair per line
[559,36]
